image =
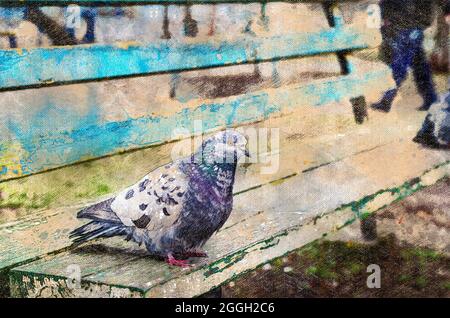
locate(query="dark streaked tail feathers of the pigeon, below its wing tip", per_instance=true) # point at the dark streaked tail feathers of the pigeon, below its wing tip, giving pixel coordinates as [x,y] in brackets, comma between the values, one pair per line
[96,229]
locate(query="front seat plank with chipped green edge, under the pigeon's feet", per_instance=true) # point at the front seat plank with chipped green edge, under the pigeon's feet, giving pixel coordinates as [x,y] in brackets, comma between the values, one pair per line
[284,216]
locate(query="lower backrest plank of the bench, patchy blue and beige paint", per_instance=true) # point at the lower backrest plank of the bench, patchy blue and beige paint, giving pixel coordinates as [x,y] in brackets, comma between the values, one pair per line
[85,123]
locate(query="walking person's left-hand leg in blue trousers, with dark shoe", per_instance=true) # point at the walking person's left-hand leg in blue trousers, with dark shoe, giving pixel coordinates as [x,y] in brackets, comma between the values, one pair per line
[401,59]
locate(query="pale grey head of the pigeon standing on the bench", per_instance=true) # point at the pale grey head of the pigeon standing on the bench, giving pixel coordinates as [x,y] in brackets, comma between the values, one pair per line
[224,147]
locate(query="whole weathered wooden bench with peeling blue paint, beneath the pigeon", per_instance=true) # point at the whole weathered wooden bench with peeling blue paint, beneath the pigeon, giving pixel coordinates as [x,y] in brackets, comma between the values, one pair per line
[57,115]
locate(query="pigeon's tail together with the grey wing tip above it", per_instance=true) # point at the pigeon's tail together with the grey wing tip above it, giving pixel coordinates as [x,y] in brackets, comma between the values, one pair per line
[105,223]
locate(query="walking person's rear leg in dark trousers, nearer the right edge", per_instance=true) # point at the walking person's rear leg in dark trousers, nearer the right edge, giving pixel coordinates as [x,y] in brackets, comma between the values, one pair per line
[423,76]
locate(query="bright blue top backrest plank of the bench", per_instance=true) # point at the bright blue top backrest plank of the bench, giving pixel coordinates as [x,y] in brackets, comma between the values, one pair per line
[43,66]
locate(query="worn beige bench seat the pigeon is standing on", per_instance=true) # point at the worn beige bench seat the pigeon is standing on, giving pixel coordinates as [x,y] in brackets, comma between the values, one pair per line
[305,201]
